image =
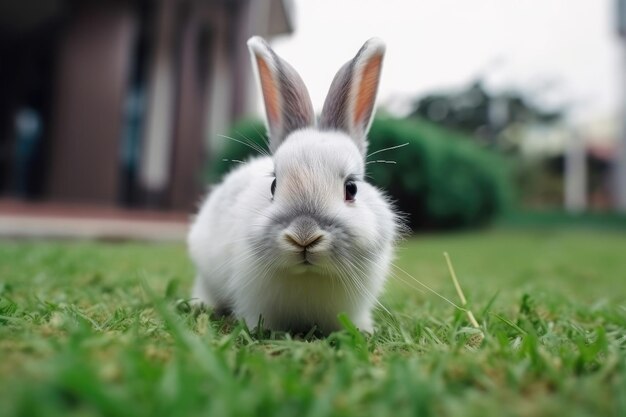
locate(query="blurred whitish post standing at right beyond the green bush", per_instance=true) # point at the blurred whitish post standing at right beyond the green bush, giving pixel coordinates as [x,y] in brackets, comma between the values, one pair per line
[575,174]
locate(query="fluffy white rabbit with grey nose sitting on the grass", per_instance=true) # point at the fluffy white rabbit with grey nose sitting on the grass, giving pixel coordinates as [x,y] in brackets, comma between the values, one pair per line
[299,237]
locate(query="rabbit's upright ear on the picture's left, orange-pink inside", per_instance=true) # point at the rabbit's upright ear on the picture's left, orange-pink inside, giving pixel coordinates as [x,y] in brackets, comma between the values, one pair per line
[287,102]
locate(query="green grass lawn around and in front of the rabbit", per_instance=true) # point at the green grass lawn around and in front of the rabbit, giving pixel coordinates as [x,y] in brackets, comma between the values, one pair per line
[90,329]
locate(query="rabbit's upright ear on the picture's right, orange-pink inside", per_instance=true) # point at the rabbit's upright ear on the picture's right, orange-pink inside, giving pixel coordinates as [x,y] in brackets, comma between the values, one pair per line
[349,106]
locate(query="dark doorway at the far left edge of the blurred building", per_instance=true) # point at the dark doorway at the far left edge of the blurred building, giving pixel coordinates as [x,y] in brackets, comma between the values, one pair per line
[27,55]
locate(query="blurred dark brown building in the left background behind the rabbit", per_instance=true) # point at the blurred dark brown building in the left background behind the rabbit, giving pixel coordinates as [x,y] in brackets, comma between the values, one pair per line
[114,102]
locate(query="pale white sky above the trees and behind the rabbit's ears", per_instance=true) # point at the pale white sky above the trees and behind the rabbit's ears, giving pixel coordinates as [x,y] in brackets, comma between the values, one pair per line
[565,50]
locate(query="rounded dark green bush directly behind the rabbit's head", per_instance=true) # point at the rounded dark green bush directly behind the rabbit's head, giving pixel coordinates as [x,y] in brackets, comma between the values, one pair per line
[441,179]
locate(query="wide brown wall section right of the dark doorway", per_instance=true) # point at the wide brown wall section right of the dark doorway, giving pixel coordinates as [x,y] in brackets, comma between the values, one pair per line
[92,74]
